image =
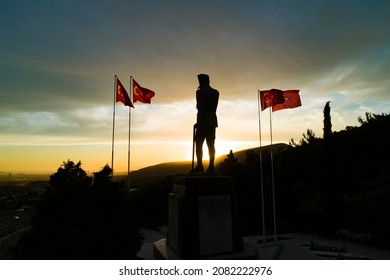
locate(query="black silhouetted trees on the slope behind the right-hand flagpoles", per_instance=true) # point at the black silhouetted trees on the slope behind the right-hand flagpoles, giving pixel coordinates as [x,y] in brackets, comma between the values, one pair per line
[343,191]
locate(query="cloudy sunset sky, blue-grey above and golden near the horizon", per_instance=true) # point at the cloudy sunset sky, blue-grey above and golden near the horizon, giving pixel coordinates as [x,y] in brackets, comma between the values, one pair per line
[58,60]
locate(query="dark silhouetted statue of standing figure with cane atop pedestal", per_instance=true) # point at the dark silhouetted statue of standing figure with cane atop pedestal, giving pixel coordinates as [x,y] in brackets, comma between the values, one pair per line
[206,121]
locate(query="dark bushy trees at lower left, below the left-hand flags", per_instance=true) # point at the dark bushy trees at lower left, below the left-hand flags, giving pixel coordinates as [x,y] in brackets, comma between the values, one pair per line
[80,217]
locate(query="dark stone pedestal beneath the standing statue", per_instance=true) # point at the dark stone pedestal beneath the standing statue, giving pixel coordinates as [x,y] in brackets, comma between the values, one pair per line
[203,218]
